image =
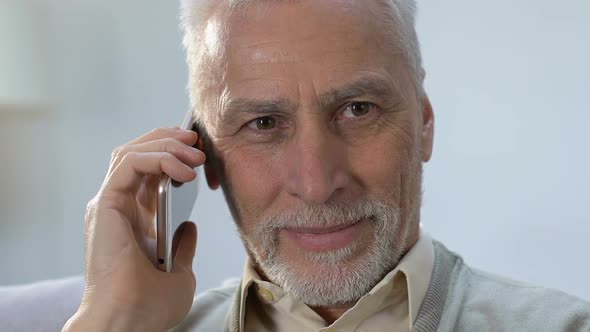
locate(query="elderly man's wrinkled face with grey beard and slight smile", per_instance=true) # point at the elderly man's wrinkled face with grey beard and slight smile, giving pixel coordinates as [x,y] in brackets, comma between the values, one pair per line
[320,136]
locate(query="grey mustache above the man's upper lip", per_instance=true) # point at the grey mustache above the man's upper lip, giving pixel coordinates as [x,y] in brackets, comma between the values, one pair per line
[325,215]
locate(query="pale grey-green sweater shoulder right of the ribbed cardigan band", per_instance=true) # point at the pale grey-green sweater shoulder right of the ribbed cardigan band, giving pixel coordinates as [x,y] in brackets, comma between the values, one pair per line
[479,300]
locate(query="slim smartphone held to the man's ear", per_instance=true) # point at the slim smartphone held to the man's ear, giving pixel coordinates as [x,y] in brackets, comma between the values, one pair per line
[176,202]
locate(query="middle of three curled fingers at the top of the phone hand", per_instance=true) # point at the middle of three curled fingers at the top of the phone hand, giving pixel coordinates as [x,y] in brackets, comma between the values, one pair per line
[187,154]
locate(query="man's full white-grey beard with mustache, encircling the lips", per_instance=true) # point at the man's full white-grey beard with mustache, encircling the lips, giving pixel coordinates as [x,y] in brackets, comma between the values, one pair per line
[342,275]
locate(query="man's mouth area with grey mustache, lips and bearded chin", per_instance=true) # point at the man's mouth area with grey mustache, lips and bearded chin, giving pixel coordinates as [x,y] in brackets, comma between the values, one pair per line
[329,268]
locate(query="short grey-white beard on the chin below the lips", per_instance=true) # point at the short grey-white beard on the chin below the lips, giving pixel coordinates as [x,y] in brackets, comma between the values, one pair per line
[336,277]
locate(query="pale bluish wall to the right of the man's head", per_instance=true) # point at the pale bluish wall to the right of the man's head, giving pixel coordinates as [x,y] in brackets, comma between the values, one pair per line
[508,187]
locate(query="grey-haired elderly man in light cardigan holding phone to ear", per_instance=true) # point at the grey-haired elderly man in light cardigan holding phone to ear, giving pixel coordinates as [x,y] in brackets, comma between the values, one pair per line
[315,123]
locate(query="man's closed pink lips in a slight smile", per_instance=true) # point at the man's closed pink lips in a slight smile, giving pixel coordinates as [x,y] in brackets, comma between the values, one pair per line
[326,238]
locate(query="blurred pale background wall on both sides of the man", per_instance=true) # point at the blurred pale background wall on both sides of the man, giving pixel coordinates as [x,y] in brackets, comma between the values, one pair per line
[507,186]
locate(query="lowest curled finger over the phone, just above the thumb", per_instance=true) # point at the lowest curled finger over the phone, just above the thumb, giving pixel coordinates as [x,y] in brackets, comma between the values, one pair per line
[127,176]
